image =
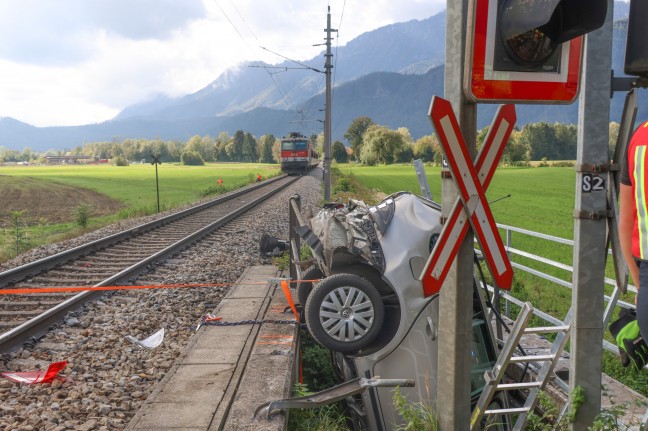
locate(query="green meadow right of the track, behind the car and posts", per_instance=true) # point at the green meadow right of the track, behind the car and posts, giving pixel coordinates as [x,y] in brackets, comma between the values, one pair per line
[541,200]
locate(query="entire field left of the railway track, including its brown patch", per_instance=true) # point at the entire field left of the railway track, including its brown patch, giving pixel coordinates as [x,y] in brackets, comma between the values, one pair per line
[46,197]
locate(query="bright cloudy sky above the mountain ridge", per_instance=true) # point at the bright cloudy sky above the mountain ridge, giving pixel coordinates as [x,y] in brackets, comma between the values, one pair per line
[74,62]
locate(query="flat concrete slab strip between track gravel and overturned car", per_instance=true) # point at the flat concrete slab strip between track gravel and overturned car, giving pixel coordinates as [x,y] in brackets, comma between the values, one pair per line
[228,371]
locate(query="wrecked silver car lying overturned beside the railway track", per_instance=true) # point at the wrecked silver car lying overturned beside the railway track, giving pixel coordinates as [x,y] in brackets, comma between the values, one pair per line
[368,307]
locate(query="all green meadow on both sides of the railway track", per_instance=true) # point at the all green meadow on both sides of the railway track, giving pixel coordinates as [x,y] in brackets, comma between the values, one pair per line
[541,200]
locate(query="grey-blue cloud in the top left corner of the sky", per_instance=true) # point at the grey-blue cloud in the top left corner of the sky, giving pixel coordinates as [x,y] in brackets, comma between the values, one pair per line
[64,32]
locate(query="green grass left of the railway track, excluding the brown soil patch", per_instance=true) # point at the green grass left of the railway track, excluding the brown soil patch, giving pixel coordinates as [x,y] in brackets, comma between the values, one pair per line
[134,186]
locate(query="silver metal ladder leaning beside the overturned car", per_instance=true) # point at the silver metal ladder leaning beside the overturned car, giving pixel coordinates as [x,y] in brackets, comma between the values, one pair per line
[494,376]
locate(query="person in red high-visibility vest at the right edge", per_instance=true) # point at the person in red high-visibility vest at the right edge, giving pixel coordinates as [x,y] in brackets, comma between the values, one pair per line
[633,236]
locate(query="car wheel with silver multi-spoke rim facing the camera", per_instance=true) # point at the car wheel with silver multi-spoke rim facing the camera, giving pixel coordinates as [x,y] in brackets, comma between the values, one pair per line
[344,313]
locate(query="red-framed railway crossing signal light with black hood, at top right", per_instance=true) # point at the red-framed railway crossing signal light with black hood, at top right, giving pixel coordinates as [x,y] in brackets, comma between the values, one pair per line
[528,51]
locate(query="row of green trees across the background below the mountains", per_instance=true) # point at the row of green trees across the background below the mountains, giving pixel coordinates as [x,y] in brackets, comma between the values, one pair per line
[369,143]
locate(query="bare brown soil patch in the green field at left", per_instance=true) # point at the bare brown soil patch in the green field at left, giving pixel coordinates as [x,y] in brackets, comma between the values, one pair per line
[49,202]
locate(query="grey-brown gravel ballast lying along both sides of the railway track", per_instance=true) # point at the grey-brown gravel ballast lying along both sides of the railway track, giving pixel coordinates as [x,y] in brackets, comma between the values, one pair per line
[107,377]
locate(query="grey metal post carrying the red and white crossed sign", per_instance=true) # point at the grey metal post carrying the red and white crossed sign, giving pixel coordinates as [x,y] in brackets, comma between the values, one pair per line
[455,329]
